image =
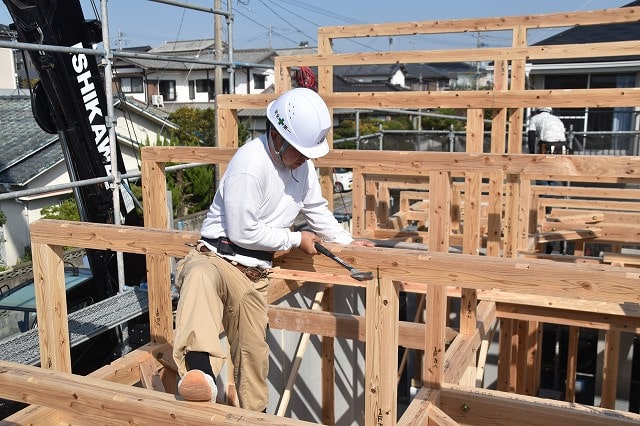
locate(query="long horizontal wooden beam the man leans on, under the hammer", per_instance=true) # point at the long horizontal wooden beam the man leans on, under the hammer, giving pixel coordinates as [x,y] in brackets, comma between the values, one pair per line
[525,276]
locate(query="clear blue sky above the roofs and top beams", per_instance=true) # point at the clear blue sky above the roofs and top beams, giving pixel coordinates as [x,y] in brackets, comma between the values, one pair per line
[286,23]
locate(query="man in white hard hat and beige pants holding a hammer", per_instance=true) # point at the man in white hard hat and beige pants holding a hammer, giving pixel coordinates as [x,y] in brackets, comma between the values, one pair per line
[223,281]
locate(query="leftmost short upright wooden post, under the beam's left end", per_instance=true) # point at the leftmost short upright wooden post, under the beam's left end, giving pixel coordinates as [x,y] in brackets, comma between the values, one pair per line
[51,307]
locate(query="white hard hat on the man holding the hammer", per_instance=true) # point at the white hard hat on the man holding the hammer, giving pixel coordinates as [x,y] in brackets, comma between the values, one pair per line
[302,118]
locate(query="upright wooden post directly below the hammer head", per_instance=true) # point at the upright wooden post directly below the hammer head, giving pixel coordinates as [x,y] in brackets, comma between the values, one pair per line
[381,352]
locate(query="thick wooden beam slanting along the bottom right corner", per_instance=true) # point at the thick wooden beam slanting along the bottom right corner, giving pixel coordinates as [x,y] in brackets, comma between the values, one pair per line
[490,407]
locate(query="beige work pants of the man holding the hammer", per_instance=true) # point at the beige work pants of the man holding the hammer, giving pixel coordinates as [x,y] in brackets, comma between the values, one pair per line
[214,294]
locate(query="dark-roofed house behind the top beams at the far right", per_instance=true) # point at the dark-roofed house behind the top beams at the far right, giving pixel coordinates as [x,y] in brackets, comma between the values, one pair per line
[592,128]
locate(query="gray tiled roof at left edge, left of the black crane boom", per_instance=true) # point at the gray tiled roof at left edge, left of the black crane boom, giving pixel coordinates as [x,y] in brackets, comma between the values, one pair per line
[25,150]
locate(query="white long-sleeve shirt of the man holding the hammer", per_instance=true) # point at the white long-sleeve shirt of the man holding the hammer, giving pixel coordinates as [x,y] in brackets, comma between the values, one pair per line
[257,202]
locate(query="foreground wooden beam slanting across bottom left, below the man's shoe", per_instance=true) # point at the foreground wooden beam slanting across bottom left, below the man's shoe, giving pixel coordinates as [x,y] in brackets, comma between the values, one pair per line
[117,404]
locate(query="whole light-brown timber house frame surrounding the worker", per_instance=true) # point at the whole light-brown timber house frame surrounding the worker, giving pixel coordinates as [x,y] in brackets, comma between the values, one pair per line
[497,208]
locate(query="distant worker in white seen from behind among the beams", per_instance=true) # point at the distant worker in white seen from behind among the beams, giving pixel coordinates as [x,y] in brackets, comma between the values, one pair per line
[549,132]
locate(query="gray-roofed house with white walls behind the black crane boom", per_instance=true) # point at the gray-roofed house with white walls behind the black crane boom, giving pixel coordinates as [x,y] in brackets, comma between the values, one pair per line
[31,158]
